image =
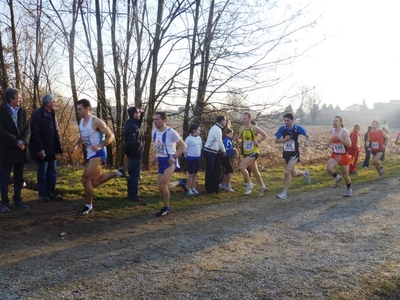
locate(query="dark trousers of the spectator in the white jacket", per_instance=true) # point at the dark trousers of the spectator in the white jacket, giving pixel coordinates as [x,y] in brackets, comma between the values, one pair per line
[213,171]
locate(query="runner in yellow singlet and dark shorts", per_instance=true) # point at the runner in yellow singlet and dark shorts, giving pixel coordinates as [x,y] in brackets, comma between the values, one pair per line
[248,135]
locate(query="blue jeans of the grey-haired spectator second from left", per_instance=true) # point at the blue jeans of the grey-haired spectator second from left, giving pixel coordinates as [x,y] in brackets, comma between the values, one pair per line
[46,177]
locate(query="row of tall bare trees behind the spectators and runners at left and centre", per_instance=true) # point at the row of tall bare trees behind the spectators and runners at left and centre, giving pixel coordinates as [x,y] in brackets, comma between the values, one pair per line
[150,54]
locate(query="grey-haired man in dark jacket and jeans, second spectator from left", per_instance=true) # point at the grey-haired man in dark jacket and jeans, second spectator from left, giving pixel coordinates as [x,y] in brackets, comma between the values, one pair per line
[44,145]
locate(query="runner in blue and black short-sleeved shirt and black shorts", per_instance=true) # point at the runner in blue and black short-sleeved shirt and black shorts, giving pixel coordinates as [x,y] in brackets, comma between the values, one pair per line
[289,136]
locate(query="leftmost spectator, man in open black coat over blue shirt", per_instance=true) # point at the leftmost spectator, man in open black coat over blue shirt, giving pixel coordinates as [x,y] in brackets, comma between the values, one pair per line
[14,136]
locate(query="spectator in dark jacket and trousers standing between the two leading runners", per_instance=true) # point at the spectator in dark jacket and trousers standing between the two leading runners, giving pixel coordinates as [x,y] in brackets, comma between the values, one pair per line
[133,149]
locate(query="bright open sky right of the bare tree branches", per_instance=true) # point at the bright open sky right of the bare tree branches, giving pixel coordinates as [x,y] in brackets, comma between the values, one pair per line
[361,57]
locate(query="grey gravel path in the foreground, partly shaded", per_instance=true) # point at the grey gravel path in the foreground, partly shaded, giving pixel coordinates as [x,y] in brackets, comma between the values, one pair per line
[314,245]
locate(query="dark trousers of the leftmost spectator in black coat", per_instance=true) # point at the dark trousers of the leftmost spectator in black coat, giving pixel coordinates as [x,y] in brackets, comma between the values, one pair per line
[5,171]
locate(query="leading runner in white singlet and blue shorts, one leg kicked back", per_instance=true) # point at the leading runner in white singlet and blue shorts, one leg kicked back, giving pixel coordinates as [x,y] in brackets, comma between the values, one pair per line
[95,135]
